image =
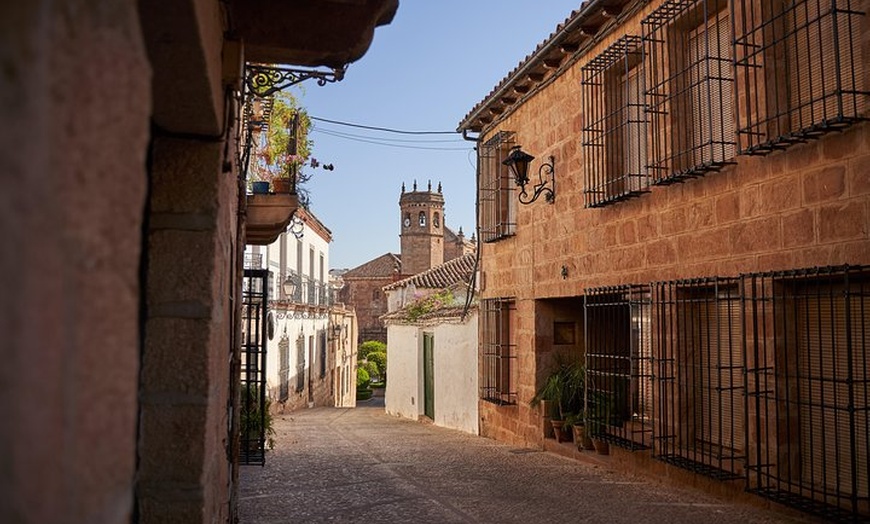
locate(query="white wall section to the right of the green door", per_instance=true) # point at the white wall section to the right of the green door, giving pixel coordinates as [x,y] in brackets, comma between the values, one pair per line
[456,384]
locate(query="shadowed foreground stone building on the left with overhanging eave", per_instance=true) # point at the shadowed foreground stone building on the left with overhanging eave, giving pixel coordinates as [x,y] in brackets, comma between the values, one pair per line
[122,194]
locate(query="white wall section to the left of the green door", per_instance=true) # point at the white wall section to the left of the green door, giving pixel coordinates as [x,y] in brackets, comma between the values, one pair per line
[404,371]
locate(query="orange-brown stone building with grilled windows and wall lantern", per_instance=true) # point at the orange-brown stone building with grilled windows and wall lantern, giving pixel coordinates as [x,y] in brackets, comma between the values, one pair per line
[706,254]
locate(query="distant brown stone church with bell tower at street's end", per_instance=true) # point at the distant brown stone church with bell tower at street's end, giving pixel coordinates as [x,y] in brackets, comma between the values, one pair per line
[426,242]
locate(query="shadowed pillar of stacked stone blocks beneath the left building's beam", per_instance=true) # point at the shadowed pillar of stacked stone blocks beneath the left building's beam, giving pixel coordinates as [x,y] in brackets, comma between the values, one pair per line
[184,433]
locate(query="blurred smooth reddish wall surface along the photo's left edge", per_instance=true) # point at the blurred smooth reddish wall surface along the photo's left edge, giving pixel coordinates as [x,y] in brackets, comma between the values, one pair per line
[75,105]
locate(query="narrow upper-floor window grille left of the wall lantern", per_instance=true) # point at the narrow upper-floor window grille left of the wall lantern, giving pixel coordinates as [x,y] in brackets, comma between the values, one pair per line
[497,207]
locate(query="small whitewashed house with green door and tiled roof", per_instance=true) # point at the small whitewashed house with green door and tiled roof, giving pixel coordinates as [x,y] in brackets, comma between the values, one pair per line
[432,346]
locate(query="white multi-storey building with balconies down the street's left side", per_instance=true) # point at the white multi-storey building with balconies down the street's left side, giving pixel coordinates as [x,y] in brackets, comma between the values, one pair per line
[310,352]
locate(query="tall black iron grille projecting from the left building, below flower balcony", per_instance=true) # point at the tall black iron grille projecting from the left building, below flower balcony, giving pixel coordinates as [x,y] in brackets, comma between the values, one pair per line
[253,406]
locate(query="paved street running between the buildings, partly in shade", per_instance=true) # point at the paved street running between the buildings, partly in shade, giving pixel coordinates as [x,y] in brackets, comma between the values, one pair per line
[361,465]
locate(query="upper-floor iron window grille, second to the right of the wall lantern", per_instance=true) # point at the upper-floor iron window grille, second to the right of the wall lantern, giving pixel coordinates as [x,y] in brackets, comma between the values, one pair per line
[690,100]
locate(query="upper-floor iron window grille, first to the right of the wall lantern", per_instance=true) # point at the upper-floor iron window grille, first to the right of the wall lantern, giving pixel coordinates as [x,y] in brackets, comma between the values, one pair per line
[615,130]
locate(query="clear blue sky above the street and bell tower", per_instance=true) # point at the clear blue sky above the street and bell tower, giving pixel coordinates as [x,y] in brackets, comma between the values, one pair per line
[424,72]
